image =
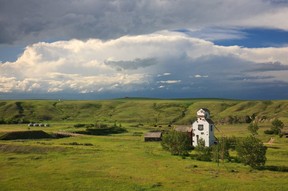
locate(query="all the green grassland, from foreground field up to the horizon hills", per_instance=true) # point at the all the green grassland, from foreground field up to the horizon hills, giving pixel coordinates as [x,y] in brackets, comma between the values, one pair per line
[104,149]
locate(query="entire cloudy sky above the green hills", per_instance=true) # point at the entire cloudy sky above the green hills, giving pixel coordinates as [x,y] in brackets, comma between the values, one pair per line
[103,49]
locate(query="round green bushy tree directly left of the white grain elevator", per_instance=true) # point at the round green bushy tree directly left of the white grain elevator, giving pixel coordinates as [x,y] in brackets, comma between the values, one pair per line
[177,143]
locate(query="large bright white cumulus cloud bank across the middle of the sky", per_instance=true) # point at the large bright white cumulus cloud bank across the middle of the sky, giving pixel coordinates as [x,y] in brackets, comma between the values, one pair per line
[137,63]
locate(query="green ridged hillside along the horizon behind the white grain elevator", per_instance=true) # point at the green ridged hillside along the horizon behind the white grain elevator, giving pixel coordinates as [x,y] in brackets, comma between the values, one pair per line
[152,111]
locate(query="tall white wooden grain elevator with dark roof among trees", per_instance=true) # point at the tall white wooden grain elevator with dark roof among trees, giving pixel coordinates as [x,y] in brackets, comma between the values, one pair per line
[203,128]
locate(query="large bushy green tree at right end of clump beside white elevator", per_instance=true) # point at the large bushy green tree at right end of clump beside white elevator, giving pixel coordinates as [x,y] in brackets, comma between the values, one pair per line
[251,151]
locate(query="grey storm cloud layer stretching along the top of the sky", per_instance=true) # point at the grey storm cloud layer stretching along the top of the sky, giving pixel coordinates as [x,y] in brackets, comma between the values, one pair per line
[38,20]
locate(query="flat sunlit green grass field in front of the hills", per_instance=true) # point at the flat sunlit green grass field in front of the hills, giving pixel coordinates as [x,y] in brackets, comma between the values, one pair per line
[126,162]
